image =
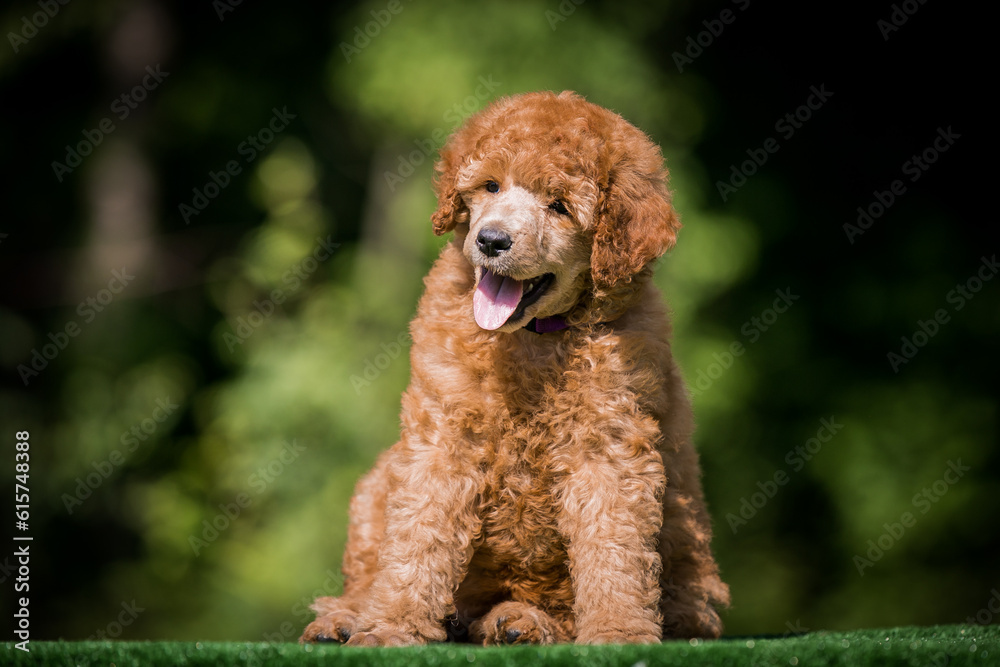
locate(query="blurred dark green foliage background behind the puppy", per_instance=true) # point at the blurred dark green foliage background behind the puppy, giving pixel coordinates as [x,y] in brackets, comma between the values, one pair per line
[286,372]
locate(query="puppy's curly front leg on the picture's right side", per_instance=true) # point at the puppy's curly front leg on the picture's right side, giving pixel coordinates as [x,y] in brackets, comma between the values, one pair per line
[610,515]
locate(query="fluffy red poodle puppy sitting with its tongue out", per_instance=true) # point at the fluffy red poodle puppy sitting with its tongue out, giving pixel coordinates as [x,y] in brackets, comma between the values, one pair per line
[544,487]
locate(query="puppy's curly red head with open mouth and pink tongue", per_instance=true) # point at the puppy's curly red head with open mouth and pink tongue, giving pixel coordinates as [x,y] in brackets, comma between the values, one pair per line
[559,202]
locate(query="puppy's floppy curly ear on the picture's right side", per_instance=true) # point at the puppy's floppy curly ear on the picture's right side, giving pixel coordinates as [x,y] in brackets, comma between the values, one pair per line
[635,221]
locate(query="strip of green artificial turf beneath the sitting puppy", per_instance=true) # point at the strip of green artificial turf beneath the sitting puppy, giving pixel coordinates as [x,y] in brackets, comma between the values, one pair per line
[929,647]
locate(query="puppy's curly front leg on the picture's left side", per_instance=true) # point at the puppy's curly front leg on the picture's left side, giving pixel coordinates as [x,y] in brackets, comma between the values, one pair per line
[430,523]
